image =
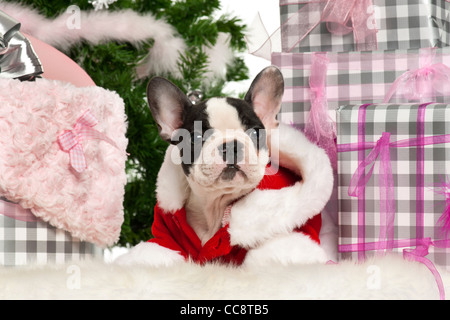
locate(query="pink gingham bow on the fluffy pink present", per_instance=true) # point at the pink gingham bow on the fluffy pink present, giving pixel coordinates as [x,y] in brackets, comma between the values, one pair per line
[71,140]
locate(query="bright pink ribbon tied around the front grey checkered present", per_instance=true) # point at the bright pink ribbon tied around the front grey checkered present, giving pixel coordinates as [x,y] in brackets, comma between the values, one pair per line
[380,151]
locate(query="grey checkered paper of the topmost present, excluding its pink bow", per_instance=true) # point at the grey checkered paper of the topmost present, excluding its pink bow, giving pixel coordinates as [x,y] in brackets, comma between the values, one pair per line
[401,24]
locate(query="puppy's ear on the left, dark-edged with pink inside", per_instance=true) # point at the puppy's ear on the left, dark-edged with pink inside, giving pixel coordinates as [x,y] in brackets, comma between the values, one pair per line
[167,104]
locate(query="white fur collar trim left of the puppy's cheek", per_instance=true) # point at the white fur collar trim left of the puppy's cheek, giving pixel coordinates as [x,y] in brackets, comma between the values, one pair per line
[171,186]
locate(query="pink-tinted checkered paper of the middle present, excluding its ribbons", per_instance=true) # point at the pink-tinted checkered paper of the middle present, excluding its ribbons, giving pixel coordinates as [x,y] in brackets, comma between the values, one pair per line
[352,78]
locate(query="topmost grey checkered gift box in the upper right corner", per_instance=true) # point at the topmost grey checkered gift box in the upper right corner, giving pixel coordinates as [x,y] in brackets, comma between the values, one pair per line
[401,24]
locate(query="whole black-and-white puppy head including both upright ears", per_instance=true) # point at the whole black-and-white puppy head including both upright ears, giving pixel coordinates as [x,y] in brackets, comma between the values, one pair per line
[221,141]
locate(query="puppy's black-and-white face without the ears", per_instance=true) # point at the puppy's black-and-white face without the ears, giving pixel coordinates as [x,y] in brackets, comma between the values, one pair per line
[222,144]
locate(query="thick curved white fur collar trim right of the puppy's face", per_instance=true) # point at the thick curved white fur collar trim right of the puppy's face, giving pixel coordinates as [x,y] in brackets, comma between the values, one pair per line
[263,214]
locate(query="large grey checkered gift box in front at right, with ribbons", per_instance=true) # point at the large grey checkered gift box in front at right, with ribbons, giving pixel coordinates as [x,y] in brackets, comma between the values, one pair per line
[404,213]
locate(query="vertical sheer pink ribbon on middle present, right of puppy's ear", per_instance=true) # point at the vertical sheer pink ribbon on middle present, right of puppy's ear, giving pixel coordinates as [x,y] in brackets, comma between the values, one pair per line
[320,128]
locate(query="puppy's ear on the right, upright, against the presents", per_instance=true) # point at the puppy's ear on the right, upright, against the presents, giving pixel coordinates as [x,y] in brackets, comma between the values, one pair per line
[265,95]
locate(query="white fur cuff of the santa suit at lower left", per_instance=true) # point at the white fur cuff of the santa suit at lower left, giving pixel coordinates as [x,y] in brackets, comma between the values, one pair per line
[150,254]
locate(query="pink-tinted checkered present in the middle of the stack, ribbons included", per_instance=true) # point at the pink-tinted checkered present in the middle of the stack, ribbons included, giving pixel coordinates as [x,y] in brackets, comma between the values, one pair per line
[316,84]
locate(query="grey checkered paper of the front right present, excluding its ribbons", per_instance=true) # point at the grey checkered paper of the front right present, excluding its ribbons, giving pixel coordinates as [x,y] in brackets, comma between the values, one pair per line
[401,121]
